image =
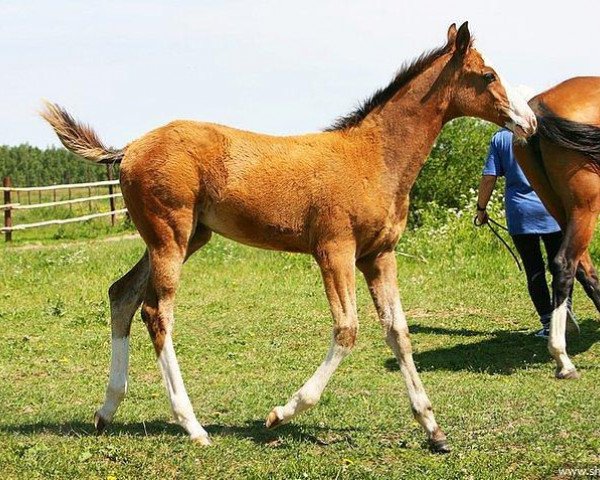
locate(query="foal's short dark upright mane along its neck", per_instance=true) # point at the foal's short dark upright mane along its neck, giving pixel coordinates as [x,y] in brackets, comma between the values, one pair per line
[406,73]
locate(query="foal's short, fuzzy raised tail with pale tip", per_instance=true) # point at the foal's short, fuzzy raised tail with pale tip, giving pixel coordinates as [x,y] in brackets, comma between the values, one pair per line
[79,138]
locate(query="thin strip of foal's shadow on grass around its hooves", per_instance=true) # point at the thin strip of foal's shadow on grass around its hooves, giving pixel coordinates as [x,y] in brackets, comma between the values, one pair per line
[252,430]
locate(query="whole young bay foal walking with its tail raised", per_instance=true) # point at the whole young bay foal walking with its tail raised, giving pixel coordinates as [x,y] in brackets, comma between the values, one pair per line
[340,195]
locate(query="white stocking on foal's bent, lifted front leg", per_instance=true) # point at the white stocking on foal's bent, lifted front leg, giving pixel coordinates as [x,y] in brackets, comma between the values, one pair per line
[311,391]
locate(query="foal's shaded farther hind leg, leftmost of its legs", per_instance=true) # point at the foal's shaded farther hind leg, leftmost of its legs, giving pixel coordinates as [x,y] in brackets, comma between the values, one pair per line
[125,298]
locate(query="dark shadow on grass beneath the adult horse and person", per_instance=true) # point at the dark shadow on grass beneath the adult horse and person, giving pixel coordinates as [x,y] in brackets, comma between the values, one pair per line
[505,352]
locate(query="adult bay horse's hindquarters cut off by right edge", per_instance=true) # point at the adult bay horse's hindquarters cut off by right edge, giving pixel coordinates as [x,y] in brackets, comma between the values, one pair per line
[562,163]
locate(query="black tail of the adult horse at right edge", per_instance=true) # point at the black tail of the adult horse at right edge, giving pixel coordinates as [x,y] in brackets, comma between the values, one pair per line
[581,137]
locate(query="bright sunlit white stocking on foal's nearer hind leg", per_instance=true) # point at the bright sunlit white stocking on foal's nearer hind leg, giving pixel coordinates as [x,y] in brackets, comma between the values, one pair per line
[180,402]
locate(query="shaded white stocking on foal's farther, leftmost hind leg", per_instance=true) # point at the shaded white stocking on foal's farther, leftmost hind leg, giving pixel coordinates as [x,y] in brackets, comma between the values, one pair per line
[117,381]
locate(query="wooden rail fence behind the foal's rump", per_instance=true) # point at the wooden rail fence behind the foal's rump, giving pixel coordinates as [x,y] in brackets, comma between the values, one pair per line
[11,194]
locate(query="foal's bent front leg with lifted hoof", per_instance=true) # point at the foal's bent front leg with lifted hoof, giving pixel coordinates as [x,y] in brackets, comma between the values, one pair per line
[337,269]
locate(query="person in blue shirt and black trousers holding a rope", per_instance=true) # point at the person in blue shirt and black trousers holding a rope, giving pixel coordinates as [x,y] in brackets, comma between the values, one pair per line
[529,223]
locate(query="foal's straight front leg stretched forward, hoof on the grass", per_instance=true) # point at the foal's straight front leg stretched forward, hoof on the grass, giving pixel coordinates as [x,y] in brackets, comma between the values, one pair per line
[380,274]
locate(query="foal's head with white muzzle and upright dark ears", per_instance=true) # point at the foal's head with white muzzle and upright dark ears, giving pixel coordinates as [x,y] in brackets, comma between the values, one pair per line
[479,90]
